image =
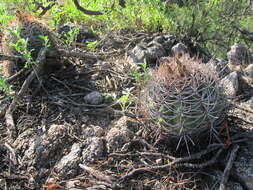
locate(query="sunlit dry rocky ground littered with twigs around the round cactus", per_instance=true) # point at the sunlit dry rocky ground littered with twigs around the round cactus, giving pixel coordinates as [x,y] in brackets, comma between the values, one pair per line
[68,140]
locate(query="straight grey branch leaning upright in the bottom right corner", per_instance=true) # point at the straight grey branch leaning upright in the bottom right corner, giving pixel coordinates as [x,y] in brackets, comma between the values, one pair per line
[228,168]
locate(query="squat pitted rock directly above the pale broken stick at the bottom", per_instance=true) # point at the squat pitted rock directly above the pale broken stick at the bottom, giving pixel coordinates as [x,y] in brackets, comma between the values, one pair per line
[94,149]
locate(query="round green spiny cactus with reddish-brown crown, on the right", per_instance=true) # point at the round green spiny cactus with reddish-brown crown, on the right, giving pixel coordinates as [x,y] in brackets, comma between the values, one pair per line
[184,97]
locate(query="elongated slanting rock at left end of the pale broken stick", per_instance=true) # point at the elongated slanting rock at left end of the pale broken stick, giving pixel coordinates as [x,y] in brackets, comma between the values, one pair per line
[67,167]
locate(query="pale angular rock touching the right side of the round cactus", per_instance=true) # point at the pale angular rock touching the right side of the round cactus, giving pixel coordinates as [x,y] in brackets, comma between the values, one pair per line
[230,84]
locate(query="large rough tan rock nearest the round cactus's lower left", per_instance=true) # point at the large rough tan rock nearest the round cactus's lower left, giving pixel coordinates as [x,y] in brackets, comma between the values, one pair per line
[119,135]
